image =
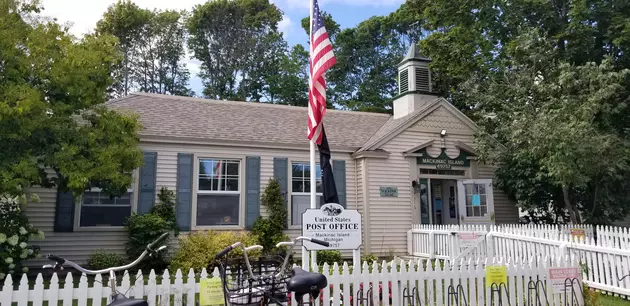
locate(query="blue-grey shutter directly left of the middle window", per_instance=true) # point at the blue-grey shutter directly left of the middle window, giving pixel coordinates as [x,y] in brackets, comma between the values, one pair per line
[184,190]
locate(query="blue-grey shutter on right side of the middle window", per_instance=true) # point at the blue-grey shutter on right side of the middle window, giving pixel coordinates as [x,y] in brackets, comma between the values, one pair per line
[252,186]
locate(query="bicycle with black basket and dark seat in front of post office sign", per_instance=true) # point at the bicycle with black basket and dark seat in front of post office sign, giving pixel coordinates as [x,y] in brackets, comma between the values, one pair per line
[255,287]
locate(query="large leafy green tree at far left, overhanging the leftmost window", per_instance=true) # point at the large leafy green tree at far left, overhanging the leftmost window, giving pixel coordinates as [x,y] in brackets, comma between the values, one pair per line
[52,114]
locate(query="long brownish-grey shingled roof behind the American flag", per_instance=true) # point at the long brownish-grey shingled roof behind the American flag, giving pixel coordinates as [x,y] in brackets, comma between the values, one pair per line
[212,120]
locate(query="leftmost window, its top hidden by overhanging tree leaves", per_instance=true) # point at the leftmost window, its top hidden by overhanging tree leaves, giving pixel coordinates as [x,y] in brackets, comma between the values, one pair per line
[100,209]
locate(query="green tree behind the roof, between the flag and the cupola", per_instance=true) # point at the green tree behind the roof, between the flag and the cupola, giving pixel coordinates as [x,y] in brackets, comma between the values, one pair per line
[365,76]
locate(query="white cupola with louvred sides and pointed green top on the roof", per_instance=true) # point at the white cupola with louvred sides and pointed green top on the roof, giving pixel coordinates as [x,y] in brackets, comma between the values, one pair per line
[415,88]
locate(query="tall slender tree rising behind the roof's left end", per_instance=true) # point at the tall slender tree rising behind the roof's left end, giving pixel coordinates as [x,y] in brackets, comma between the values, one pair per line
[127,22]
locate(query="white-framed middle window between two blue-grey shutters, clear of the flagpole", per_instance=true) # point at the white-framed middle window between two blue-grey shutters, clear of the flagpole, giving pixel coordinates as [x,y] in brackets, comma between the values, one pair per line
[218,192]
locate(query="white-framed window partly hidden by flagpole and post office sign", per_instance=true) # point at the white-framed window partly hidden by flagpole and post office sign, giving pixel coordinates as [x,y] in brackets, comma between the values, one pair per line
[301,189]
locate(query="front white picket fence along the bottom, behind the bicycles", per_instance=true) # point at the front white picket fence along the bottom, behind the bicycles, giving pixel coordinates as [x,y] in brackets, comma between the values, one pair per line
[429,284]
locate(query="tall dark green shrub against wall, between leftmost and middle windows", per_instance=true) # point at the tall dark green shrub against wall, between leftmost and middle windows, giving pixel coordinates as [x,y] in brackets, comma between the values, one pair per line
[144,229]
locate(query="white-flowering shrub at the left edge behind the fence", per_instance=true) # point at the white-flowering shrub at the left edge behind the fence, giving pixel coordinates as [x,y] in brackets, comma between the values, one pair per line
[15,233]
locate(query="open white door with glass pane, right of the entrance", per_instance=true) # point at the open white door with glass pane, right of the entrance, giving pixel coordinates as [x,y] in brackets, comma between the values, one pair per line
[476,201]
